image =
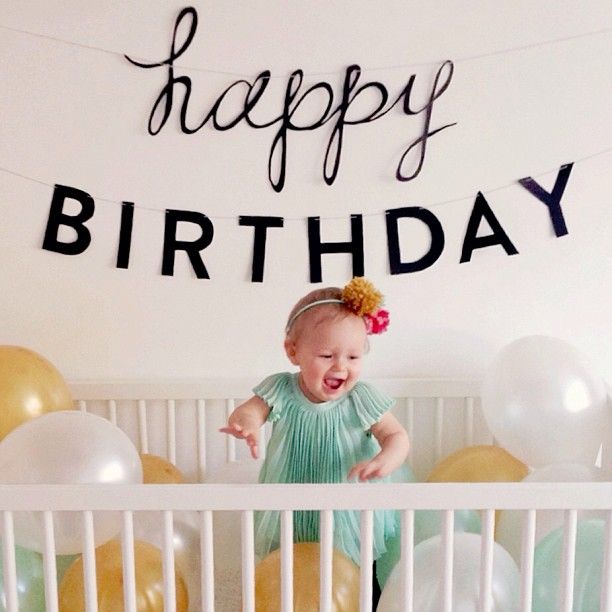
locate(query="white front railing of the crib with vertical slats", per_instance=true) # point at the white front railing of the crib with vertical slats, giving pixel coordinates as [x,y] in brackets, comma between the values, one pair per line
[208,499]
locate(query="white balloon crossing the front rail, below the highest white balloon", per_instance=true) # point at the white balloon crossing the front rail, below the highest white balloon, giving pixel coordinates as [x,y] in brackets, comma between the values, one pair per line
[508,531]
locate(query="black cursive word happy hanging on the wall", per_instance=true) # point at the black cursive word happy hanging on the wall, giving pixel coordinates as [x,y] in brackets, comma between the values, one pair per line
[277,160]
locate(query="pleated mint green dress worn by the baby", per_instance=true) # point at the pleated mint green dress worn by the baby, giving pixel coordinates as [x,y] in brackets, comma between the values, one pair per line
[320,442]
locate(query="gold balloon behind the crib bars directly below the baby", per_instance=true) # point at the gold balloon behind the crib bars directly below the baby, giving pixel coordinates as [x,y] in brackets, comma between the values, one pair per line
[345,581]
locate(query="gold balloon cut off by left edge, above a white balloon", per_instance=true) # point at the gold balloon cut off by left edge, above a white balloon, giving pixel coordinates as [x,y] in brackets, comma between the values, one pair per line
[29,386]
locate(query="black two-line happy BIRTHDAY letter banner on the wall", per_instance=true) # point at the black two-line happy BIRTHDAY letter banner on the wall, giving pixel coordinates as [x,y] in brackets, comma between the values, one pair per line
[176,94]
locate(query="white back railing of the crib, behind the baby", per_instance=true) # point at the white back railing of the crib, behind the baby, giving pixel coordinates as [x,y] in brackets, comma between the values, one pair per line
[180,420]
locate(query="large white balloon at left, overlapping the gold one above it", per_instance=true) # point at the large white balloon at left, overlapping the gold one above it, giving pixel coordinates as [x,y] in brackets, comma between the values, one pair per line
[67,447]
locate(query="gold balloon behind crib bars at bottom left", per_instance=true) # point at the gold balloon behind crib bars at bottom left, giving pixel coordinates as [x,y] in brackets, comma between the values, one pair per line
[109,578]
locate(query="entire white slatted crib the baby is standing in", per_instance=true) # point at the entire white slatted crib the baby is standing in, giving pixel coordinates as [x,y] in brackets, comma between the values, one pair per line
[180,419]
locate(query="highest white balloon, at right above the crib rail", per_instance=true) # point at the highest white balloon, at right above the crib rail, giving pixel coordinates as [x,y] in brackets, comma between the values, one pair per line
[544,404]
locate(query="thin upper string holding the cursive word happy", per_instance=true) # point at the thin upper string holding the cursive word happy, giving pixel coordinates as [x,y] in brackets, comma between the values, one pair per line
[467,58]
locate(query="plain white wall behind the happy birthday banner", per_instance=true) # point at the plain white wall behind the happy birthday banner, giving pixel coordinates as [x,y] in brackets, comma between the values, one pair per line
[77,116]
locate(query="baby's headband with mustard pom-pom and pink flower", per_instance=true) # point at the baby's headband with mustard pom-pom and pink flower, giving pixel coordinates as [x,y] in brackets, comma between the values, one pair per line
[362,299]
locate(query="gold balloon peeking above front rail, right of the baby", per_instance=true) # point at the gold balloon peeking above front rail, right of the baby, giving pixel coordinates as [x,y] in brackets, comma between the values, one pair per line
[479,464]
